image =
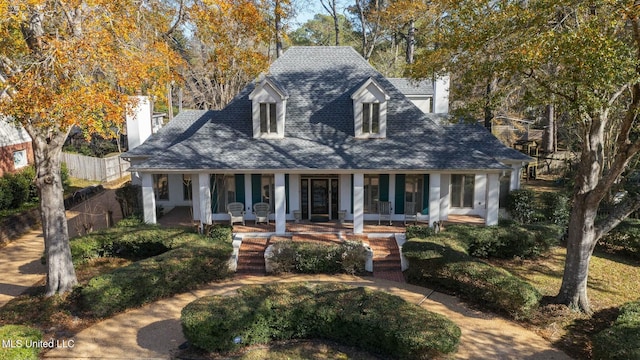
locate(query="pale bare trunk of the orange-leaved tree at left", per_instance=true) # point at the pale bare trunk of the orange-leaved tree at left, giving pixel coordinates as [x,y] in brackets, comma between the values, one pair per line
[61,275]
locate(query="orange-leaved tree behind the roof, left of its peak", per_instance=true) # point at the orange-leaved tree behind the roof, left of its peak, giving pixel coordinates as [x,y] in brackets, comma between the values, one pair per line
[227,49]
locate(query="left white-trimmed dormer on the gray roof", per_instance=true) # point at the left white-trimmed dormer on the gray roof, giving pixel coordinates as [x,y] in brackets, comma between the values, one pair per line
[269,104]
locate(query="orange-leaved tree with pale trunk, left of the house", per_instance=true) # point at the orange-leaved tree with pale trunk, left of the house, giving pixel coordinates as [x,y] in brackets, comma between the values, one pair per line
[74,63]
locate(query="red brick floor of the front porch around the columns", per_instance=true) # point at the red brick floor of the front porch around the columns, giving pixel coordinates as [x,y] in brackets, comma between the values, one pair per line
[181,216]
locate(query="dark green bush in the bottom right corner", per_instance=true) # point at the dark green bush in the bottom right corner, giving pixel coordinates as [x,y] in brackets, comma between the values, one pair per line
[622,340]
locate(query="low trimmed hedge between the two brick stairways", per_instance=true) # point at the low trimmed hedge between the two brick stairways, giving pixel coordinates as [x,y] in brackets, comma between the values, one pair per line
[310,258]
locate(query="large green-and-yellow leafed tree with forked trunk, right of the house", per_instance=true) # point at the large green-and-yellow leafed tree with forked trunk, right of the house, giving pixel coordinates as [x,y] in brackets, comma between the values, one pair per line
[581,56]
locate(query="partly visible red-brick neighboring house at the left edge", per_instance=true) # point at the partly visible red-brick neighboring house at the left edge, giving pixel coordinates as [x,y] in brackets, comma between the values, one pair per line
[15,147]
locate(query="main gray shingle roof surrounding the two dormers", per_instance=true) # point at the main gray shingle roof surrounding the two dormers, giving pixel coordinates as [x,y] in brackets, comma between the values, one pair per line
[319,130]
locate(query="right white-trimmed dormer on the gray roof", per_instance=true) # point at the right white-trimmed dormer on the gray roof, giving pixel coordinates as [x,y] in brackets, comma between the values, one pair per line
[370,110]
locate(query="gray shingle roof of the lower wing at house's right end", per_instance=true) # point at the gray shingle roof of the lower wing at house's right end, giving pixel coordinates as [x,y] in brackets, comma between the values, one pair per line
[477,136]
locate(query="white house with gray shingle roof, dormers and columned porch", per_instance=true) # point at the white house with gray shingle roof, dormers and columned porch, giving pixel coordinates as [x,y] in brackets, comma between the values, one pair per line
[322,132]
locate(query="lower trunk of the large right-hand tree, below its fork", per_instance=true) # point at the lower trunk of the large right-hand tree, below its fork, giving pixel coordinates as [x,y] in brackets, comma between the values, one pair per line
[580,244]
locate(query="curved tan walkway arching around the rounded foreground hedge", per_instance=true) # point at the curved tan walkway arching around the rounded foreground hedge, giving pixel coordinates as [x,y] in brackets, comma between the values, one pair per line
[154,331]
